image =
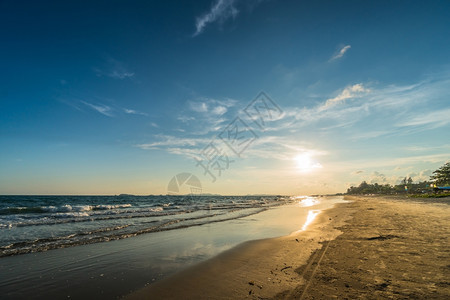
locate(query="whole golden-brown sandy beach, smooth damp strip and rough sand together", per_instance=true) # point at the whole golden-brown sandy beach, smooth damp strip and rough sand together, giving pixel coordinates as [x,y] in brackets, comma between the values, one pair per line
[372,248]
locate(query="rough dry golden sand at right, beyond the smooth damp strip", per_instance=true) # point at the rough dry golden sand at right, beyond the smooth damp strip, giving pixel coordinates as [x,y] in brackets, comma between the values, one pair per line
[393,247]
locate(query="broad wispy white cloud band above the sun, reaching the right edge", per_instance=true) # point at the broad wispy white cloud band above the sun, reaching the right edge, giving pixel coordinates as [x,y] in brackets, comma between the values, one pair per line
[406,108]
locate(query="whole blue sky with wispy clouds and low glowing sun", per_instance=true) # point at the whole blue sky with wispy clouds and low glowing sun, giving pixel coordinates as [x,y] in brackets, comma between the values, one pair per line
[248,96]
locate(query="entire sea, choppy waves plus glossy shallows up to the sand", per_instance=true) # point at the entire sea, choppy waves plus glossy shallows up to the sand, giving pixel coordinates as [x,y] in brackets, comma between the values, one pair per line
[105,247]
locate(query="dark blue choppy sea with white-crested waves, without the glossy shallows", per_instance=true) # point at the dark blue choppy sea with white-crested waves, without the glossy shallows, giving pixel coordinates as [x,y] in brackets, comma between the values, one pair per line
[39,223]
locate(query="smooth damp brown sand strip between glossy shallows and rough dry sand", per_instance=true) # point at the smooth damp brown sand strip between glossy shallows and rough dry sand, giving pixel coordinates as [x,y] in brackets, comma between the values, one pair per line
[258,268]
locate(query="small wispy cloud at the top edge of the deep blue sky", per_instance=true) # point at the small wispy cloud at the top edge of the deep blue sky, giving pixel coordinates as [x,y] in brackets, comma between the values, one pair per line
[221,10]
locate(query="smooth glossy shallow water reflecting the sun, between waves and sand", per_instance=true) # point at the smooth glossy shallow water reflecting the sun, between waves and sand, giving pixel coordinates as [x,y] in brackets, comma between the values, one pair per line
[113,269]
